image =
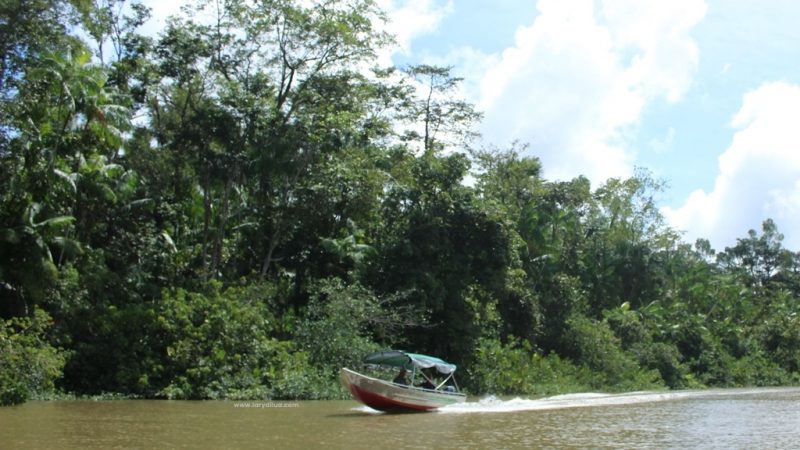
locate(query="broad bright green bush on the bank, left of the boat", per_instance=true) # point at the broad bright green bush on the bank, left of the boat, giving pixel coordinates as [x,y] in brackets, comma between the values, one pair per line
[220,344]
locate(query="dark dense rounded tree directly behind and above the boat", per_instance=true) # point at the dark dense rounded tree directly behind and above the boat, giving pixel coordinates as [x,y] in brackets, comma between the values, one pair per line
[442,248]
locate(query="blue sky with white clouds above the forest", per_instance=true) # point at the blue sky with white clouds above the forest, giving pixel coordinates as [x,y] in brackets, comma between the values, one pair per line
[705,94]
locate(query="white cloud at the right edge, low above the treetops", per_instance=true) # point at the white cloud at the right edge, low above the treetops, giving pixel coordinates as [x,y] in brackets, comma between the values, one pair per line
[759,174]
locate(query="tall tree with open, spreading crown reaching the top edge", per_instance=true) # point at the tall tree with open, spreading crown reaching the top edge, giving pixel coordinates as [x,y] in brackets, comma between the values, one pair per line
[264,96]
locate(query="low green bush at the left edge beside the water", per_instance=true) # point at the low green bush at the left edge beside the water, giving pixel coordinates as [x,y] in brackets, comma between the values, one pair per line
[29,365]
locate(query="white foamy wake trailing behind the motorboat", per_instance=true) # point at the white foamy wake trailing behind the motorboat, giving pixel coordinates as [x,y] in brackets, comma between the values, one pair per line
[493,404]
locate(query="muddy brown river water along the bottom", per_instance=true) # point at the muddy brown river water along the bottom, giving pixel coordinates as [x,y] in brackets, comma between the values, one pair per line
[720,419]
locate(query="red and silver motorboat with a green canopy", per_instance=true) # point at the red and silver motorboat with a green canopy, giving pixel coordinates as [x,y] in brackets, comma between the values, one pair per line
[390,396]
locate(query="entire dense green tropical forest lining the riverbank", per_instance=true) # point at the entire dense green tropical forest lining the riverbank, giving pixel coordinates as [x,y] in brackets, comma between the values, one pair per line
[239,205]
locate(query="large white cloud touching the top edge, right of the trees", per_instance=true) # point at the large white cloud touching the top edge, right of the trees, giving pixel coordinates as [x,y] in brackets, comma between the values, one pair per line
[580,76]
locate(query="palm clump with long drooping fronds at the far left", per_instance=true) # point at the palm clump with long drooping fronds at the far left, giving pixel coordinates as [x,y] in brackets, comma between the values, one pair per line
[67,126]
